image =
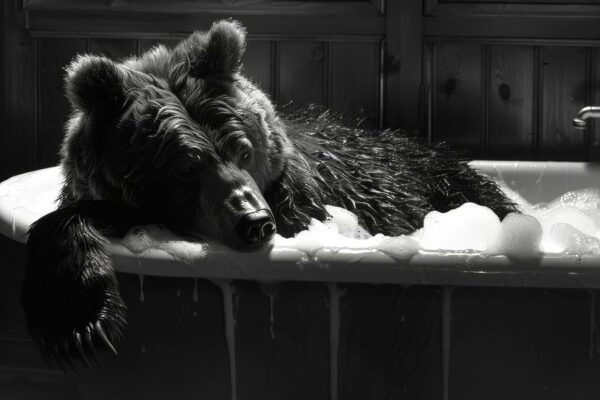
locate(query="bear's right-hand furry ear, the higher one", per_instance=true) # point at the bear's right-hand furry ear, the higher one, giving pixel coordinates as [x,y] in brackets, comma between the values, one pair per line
[218,52]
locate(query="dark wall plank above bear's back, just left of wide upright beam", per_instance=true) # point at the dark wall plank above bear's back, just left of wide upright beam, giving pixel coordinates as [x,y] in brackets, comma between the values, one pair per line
[354,79]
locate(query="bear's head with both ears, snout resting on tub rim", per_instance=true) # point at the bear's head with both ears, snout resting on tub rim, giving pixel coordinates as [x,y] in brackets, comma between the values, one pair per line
[180,136]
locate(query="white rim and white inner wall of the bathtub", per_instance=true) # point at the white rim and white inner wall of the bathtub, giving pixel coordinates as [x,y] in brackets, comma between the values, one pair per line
[535,181]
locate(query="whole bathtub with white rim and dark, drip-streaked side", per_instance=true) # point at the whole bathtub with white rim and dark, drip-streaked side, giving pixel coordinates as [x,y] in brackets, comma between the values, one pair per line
[347,324]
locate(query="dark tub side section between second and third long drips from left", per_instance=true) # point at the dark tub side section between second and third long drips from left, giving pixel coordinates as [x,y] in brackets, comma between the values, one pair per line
[389,343]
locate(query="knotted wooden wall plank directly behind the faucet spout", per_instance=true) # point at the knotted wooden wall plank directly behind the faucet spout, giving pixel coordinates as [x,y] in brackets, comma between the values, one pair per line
[564,93]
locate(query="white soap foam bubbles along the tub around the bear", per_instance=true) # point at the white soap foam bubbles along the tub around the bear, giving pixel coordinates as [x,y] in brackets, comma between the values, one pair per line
[570,224]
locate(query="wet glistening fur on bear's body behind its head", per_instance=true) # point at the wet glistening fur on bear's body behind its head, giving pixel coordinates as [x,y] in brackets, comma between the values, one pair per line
[389,180]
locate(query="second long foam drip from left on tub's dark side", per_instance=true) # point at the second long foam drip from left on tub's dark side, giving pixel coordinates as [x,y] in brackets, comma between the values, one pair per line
[334,337]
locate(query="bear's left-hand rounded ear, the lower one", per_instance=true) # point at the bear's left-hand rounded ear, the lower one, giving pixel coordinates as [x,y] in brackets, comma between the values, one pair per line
[95,84]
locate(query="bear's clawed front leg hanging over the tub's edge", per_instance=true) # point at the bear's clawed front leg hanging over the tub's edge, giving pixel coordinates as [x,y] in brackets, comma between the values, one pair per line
[70,293]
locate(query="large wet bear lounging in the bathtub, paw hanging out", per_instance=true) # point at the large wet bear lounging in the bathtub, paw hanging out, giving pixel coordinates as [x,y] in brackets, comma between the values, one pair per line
[180,137]
